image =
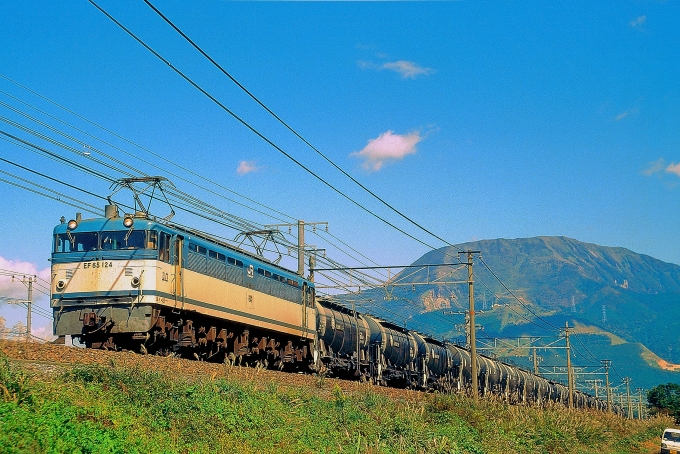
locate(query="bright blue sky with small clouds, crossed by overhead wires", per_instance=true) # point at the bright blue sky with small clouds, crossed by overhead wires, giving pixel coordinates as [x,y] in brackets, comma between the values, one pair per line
[476,119]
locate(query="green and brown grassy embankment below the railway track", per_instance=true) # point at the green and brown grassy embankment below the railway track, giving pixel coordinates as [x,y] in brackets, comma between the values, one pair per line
[122,409]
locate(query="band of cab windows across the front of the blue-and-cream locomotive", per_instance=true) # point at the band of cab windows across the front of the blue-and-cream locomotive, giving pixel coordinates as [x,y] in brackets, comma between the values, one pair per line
[108,241]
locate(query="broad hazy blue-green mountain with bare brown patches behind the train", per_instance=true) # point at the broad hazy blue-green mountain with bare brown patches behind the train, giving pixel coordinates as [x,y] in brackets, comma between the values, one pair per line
[626,306]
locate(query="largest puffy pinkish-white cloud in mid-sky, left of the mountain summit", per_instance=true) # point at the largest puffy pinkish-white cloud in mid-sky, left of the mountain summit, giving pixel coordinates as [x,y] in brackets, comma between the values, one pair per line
[387,147]
